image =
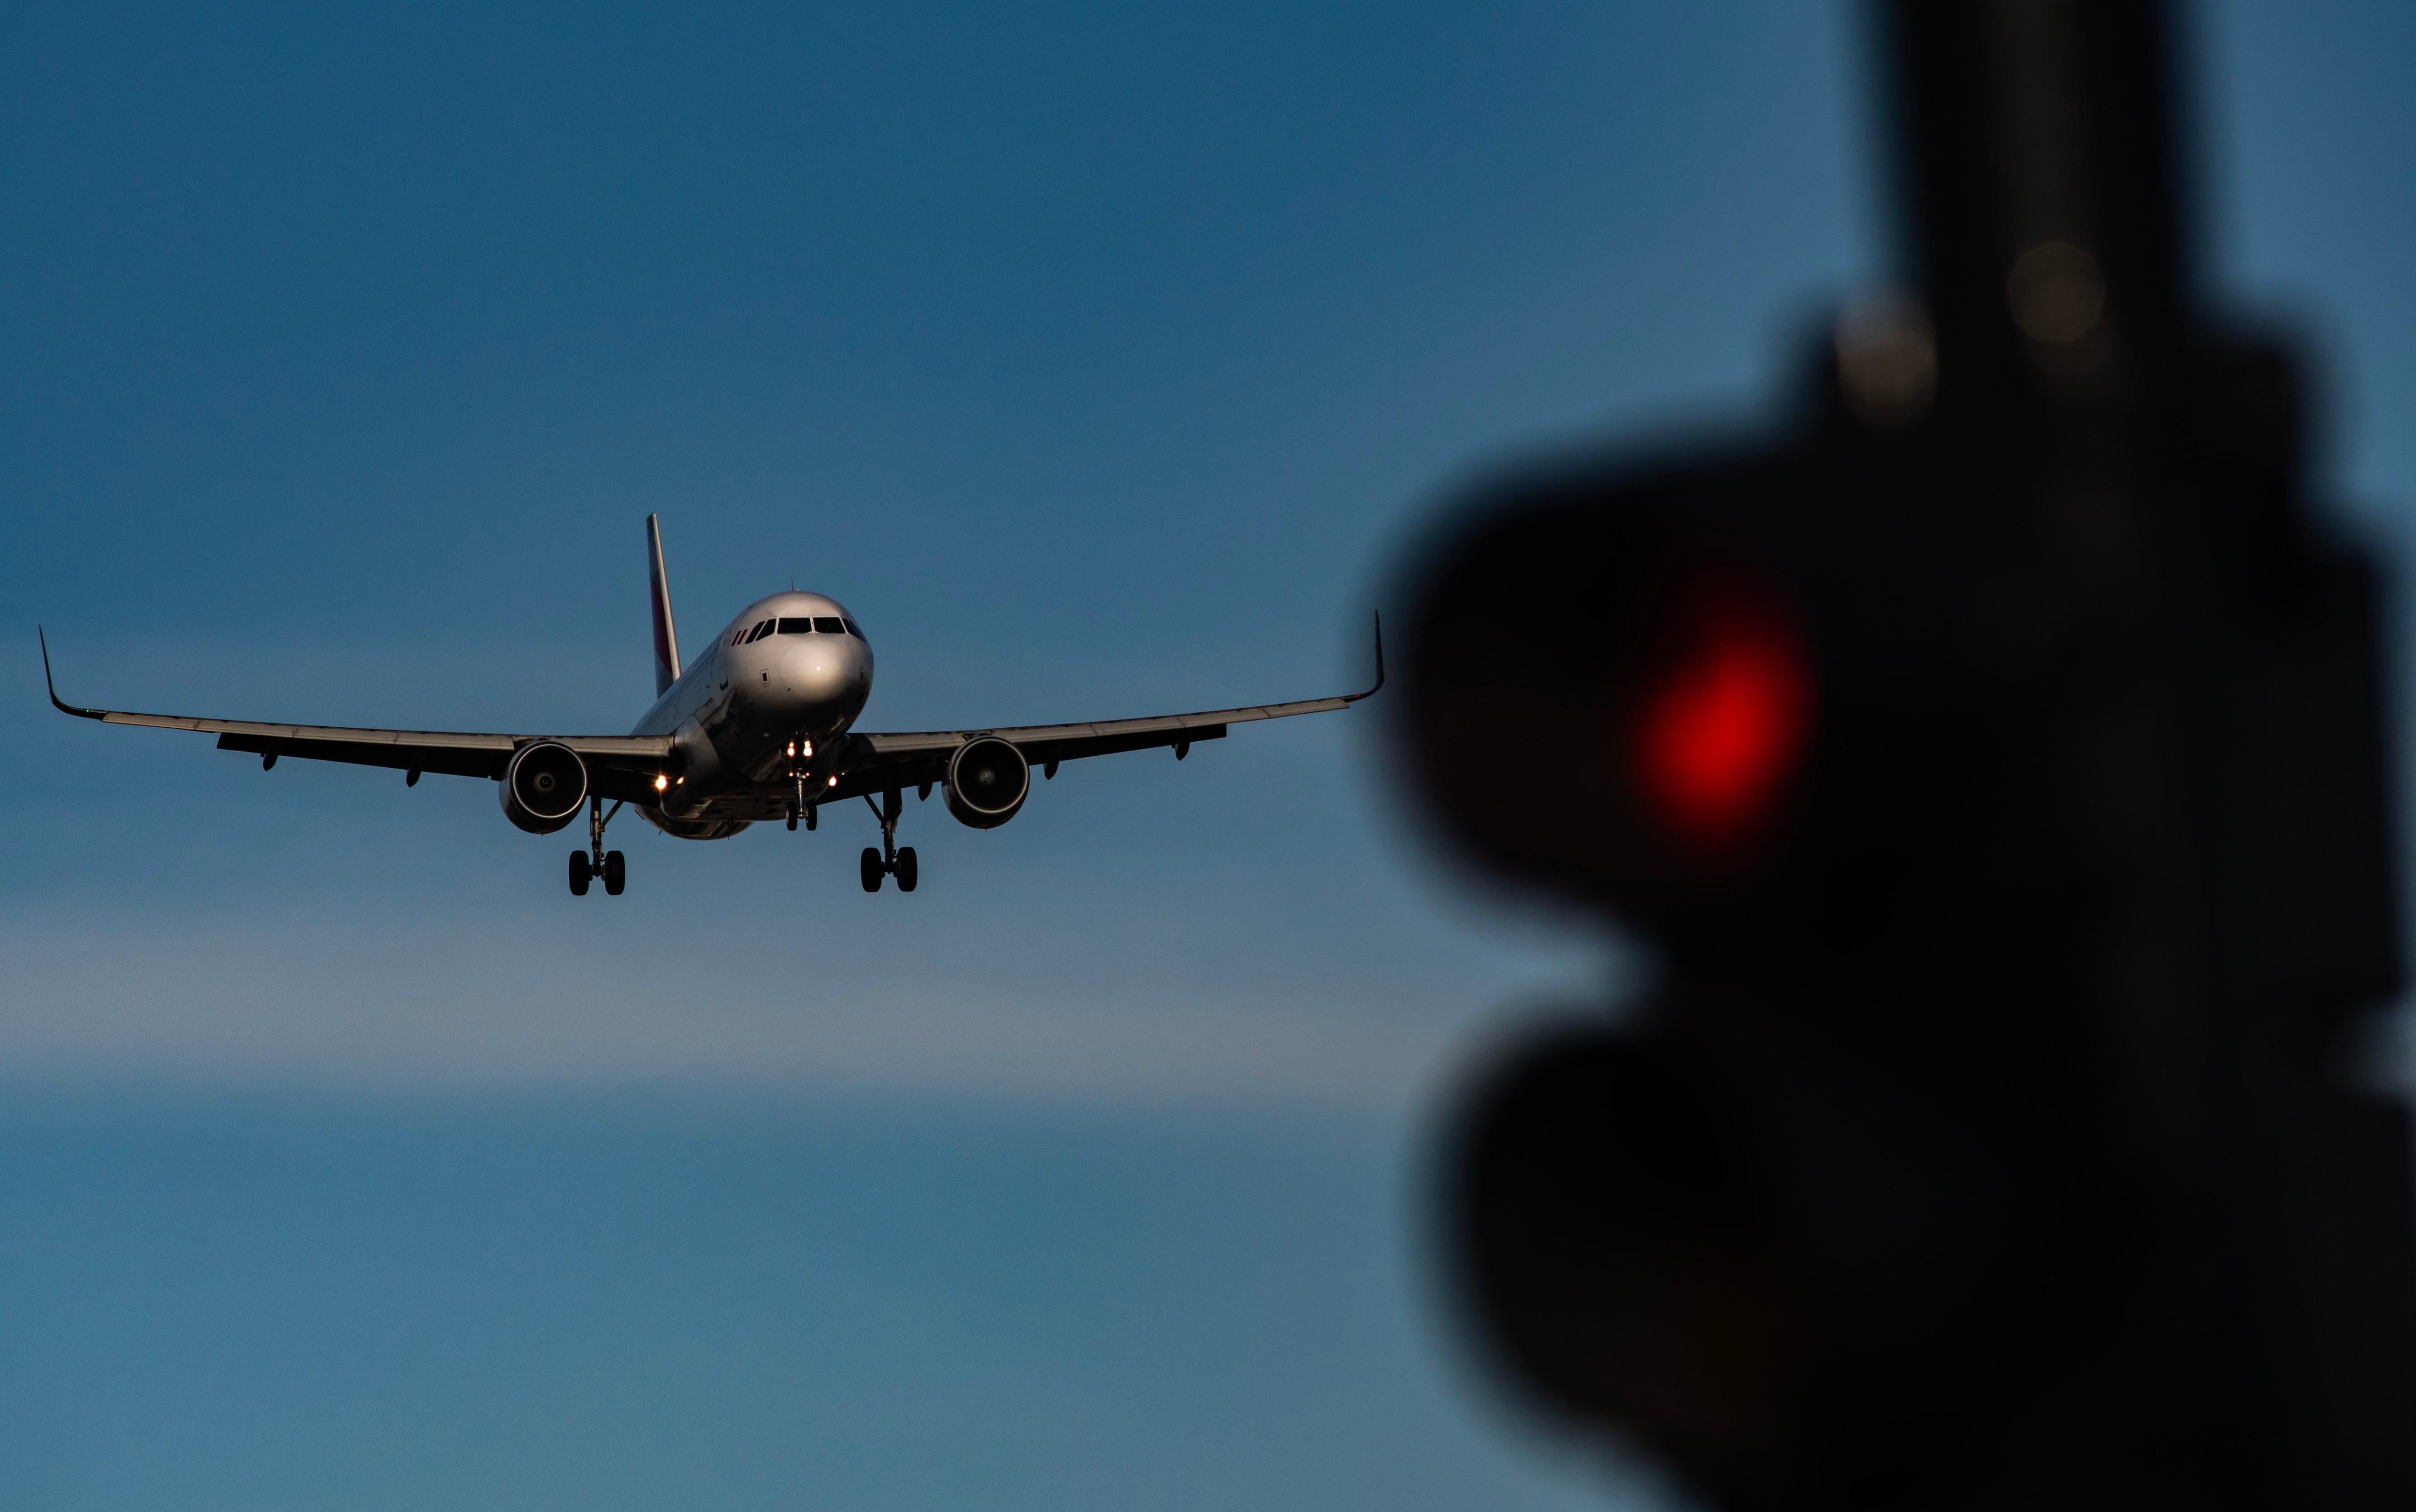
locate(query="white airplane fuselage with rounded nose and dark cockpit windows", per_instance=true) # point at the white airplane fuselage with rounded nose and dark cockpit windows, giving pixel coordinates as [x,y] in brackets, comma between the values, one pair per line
[769,702]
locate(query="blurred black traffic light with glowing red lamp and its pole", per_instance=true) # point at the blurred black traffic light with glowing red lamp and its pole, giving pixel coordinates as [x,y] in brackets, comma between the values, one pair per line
[1994,764]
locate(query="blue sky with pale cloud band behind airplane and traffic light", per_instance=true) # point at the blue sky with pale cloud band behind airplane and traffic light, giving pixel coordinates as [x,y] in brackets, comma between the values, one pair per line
[1100,359]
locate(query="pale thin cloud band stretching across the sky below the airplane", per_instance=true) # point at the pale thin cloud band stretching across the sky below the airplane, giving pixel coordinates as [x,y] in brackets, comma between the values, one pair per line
[397,1008]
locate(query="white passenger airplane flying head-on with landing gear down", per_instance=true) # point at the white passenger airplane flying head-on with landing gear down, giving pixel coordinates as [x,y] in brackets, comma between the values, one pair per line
[757,728]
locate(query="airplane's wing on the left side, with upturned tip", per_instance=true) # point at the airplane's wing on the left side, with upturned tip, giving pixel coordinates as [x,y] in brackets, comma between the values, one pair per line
[620,767]
